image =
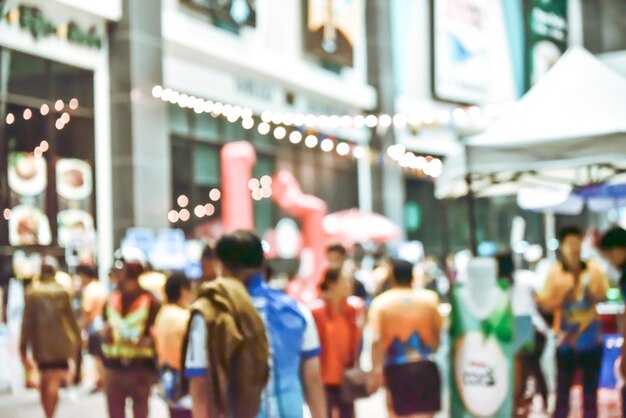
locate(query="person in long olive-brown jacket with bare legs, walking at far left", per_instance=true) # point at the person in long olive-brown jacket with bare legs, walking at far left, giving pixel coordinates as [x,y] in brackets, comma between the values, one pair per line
[51,334]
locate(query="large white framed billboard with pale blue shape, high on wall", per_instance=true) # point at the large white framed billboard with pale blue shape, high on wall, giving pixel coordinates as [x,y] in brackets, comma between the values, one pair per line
[461,60]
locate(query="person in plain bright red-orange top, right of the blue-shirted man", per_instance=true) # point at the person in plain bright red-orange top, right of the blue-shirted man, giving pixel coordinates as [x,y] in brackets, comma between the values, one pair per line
[339,320]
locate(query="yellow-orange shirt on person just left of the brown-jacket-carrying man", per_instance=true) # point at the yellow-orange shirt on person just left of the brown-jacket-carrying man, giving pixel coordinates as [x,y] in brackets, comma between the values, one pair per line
[169,332]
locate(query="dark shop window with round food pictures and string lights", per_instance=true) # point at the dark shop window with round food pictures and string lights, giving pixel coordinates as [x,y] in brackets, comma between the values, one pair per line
[47,187]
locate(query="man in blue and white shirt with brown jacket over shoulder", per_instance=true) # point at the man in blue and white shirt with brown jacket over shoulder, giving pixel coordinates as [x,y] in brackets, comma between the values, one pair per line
[252,351]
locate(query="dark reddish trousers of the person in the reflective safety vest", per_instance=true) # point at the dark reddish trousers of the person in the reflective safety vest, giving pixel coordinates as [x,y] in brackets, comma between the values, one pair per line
[133,383]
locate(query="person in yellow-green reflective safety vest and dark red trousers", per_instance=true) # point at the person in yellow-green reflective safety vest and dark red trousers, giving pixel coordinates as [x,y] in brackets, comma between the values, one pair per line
[128,348]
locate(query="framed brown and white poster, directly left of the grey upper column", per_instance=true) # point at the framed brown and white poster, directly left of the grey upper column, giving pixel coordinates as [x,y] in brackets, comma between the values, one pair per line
[334,30]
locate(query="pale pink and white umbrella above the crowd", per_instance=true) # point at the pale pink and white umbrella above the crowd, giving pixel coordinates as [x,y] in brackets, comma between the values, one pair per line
[355,226]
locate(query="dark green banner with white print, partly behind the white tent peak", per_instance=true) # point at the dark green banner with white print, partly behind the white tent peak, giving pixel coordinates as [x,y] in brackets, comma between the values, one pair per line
[546,36]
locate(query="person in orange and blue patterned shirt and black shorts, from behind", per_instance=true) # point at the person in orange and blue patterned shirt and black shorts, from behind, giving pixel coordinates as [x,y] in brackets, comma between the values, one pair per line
[406,327]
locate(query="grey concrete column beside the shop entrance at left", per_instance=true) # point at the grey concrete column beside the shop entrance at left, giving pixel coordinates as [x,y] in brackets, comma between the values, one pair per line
[139,124]
